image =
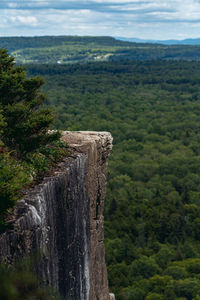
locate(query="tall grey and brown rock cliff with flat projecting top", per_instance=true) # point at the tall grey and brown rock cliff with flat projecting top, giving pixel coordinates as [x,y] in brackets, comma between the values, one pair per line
[62,219]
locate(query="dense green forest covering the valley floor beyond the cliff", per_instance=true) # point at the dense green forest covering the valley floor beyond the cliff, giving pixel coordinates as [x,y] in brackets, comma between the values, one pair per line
[152,213]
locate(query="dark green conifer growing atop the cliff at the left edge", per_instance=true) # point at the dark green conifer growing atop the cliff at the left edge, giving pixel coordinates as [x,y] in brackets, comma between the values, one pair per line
[26,120]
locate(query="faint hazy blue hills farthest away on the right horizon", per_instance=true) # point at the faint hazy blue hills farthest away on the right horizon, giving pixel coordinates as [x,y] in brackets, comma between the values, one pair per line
[165,42]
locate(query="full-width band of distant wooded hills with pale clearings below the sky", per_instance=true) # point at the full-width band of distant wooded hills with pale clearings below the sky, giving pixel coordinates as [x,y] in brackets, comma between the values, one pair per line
[82,49]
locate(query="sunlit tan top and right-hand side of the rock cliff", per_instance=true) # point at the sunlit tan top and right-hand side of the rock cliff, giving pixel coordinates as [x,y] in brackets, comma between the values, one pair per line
[97,146]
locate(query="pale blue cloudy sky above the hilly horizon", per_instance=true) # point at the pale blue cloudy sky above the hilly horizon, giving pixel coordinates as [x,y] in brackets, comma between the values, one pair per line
[146,19]
